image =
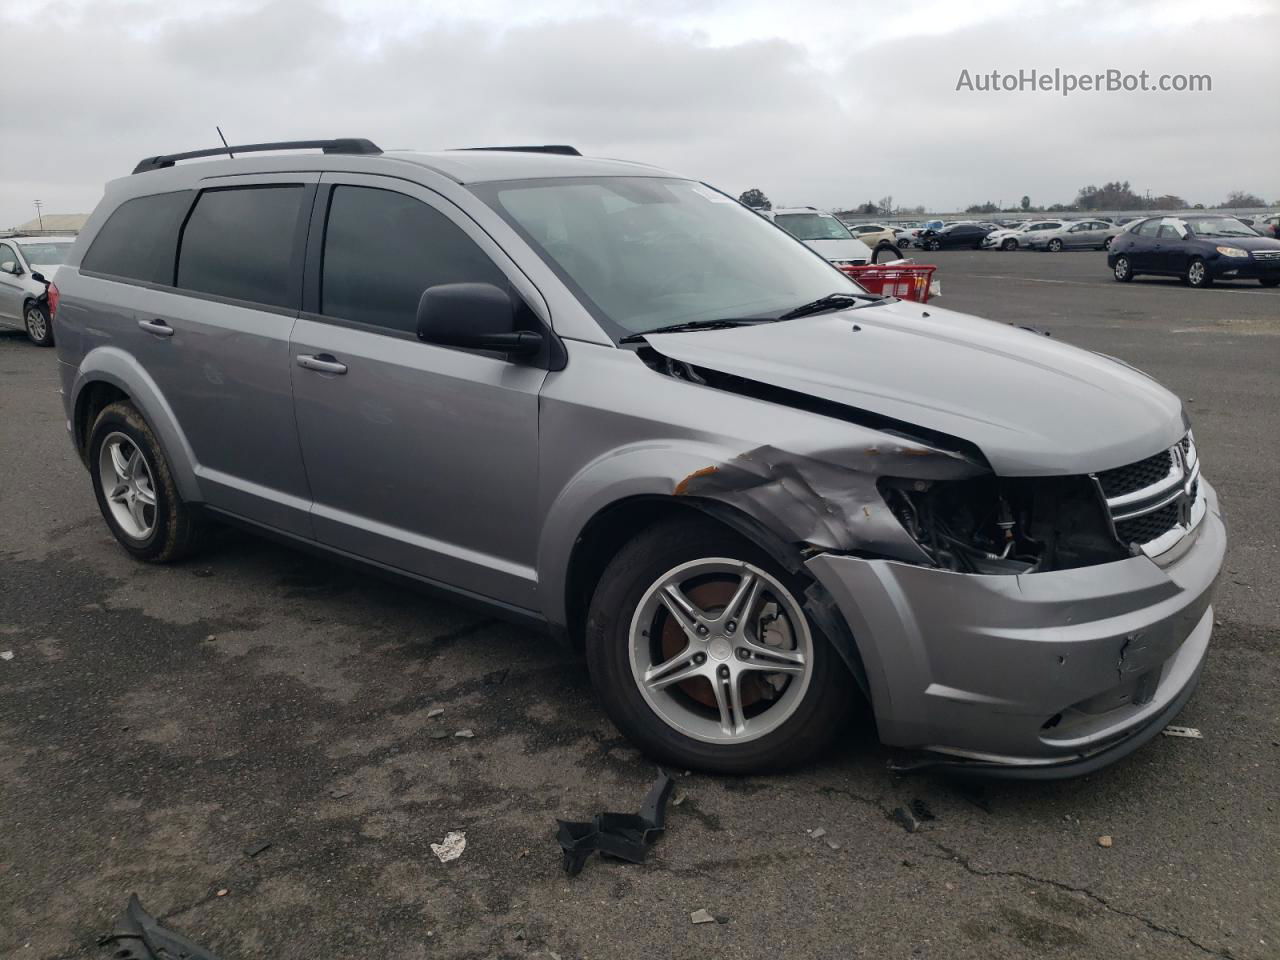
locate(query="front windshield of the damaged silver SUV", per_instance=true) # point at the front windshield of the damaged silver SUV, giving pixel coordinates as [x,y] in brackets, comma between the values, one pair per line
[648,253]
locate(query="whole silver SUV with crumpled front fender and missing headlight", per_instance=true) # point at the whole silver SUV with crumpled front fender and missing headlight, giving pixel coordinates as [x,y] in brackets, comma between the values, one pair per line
[616,404]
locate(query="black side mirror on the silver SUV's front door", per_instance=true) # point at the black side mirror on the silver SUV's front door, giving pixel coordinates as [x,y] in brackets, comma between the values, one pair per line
[476,317]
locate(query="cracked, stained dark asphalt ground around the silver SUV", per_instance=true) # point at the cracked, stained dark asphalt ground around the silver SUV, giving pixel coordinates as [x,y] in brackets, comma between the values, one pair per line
[156,723]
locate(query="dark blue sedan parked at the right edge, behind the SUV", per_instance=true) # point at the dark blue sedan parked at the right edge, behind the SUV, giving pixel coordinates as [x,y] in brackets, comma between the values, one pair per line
[1197,249]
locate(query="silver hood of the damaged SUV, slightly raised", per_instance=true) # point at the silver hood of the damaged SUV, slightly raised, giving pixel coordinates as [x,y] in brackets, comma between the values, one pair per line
[1034,406]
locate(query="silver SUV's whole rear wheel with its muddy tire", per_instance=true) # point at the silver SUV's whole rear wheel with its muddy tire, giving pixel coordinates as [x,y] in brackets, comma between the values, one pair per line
[135,488]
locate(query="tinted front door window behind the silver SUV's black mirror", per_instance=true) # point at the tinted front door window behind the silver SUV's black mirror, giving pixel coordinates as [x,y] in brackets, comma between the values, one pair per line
[382,250]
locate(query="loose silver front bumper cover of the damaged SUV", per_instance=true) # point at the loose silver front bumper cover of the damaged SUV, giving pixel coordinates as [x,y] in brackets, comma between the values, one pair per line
[1043,675]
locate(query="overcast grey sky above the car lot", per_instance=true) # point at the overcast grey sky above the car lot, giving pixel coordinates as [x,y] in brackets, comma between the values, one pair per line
[829,104]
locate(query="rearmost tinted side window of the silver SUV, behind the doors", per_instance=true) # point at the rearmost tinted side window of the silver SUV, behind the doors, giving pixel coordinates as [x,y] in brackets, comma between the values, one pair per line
[139,241]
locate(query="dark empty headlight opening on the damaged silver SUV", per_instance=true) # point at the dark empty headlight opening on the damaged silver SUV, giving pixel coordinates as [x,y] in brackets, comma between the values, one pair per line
[993,525]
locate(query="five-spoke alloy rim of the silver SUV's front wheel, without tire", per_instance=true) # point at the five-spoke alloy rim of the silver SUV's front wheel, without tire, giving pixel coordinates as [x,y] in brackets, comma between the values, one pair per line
[721,651]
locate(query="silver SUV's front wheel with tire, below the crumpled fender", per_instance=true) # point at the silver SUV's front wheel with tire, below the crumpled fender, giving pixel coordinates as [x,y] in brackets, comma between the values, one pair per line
[701,652]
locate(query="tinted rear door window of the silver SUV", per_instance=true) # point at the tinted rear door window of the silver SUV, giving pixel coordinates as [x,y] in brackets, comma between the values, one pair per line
[240,244]
